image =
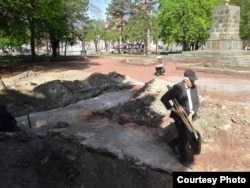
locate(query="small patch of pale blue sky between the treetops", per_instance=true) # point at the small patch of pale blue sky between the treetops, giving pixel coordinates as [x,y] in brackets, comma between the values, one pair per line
[97,8]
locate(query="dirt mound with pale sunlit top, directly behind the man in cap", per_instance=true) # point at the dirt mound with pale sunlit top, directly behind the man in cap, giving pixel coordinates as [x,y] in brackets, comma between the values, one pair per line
[144,108]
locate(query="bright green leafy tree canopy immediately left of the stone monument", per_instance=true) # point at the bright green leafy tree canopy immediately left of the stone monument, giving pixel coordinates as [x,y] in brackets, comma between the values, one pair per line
[184,21]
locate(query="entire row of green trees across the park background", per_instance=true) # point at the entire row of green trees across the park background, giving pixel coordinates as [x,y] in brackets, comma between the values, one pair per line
[49,22]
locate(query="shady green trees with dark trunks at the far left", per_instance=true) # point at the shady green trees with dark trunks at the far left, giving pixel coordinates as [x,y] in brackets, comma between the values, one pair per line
[36,22]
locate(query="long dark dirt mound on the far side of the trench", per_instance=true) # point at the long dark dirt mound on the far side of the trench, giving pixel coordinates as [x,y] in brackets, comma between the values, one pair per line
[59,93]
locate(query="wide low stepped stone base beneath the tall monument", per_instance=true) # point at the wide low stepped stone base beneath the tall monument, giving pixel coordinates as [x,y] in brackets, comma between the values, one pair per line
[213,61]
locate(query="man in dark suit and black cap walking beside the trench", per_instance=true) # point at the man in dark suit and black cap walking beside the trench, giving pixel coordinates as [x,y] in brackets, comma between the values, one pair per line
[185,92]
